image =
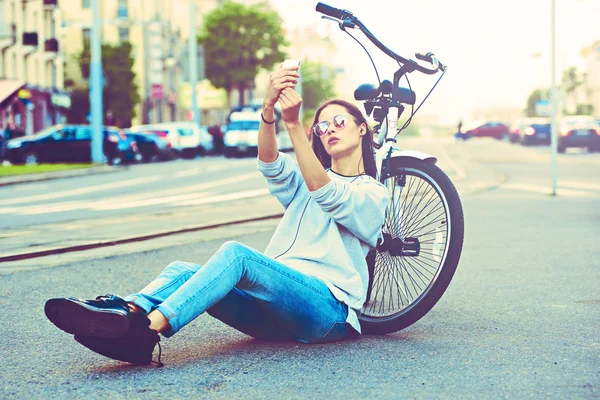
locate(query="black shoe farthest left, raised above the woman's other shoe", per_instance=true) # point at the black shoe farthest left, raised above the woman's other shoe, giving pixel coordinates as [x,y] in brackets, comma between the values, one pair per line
[106,317]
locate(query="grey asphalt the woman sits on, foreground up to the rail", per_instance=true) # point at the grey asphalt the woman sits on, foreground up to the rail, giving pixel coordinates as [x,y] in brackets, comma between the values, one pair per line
[519,320]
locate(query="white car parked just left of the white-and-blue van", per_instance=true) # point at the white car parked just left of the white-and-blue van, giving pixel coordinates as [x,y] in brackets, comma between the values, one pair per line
[186,138]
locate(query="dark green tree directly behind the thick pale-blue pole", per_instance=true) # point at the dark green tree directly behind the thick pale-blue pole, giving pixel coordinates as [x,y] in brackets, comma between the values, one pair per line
[120,93]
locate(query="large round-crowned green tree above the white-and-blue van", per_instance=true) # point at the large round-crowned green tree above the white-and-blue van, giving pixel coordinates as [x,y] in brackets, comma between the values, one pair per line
[239,41]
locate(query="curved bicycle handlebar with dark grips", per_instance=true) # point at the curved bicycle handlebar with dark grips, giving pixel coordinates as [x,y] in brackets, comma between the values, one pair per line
[350,20]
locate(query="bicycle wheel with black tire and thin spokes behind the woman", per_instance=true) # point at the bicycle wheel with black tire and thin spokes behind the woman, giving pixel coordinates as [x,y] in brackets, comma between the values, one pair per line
[421,304]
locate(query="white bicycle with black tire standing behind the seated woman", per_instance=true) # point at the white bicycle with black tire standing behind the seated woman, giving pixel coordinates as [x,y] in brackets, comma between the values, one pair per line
[411,268]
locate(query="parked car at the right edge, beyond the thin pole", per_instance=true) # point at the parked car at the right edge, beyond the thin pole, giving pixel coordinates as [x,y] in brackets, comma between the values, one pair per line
[579,131]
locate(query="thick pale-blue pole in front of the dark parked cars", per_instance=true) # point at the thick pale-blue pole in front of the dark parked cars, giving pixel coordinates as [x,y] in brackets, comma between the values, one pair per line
[96,86]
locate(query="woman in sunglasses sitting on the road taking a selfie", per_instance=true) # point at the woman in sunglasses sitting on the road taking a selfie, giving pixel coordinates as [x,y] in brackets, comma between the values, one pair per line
[311,281]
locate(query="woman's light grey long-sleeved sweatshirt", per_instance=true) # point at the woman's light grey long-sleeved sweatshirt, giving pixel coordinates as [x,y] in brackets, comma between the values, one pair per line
[327,233]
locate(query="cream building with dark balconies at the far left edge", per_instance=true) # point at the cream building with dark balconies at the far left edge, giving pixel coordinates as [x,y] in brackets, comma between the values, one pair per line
[32,95]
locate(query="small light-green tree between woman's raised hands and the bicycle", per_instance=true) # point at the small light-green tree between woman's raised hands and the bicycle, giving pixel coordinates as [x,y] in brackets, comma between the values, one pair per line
[318,84]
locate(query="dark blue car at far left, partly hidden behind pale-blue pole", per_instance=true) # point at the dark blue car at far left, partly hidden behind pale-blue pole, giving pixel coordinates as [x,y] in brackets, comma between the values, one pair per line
[70,144]
